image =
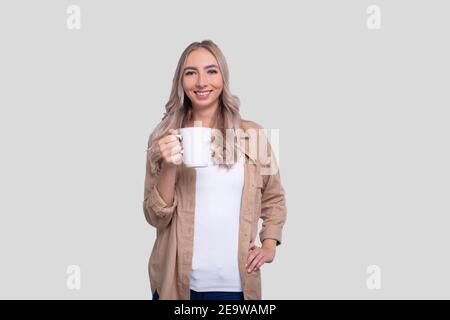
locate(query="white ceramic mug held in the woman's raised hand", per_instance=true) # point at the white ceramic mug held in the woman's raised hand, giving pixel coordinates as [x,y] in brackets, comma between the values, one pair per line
[196,142]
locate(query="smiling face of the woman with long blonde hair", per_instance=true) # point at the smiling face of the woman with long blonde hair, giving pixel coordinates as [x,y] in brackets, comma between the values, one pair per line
[202,79]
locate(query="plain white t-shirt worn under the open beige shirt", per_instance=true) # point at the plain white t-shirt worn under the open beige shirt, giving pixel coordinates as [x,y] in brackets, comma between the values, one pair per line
[218,194]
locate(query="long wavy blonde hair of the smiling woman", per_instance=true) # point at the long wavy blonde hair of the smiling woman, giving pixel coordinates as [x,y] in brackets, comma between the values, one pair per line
[179,108]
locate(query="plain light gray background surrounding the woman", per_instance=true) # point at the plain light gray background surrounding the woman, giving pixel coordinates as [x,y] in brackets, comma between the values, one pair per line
[364,139]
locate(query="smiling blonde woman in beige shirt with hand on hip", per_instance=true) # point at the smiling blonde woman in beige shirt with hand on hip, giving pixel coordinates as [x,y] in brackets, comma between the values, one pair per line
[212,256]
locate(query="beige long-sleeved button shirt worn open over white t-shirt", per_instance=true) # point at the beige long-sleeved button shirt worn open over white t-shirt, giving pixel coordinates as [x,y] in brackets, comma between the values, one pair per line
[170,263]
